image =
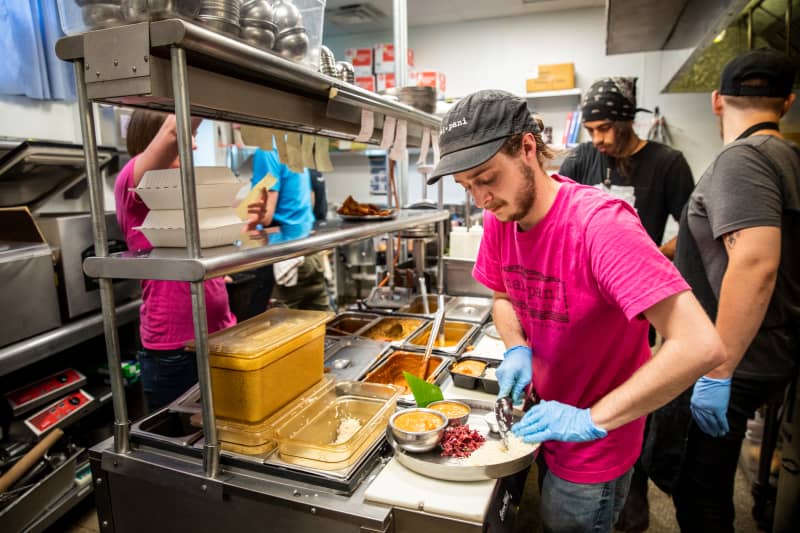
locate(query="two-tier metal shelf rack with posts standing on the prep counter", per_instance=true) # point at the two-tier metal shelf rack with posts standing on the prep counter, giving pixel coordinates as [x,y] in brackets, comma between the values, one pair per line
[176,65]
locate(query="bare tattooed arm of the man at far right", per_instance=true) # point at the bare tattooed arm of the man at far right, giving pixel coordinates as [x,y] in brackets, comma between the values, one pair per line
[747,285]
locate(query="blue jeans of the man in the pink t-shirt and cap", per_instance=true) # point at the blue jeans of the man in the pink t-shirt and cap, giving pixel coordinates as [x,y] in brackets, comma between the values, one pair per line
[582,507]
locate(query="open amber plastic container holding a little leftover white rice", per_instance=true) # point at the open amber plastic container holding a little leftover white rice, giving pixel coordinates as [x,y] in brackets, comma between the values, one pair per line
[312,435]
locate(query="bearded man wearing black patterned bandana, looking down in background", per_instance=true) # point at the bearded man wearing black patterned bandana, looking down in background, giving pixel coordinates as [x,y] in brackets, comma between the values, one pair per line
[655,177]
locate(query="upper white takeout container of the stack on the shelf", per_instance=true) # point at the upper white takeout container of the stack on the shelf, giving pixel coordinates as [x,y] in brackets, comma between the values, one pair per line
[216,187]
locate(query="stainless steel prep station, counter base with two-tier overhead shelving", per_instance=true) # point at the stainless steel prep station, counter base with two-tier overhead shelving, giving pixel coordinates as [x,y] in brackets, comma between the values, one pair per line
[177,65]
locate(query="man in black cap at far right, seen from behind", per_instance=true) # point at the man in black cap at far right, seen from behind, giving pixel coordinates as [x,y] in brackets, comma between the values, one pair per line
[739,248]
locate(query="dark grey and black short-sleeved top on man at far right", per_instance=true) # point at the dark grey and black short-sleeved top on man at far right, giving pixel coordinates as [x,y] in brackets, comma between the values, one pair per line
[754,182]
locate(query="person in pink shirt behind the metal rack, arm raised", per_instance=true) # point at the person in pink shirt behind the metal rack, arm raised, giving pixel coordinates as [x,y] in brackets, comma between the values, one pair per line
[166,313]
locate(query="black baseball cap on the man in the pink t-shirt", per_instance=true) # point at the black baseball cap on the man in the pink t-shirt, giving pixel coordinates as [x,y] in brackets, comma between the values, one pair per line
[474,130]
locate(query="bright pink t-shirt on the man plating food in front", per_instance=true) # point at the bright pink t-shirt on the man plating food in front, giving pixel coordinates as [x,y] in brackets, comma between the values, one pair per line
[579,281]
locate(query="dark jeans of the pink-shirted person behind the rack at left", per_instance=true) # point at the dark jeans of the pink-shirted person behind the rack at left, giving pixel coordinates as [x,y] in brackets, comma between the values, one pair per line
[166,374]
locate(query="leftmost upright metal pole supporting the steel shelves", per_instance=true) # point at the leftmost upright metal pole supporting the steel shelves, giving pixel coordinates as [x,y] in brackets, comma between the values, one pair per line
[121,422]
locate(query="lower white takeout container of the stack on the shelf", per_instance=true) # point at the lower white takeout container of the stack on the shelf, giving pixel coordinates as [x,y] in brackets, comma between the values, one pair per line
[219,226]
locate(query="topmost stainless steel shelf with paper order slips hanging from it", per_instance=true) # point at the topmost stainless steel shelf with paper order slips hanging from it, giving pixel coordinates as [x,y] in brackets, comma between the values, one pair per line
[269,90]
